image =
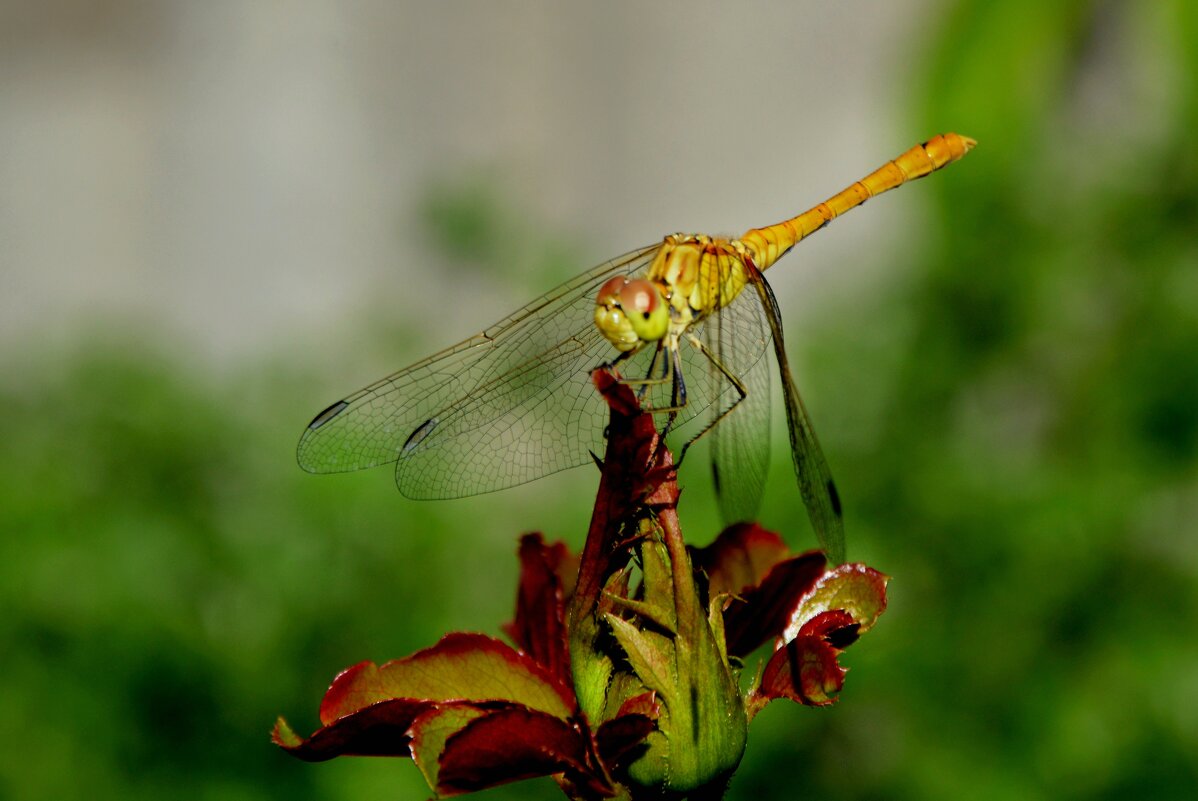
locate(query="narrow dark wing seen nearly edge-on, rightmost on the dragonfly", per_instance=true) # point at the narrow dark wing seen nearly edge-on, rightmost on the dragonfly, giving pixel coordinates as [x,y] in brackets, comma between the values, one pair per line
[815,481]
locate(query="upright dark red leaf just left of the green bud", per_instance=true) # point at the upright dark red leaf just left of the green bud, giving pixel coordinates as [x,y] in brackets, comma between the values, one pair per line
[547,581]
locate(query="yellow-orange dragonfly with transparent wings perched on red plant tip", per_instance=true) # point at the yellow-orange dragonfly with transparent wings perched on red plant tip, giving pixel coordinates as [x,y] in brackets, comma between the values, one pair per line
[687,321]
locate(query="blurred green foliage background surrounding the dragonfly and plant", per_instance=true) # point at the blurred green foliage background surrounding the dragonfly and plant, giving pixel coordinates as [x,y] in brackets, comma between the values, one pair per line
[1006,385]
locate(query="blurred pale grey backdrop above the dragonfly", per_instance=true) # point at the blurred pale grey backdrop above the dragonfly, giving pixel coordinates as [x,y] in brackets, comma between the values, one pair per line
[249,175]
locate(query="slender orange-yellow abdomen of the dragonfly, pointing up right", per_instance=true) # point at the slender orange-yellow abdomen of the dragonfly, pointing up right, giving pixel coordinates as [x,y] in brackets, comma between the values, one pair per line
[769,245]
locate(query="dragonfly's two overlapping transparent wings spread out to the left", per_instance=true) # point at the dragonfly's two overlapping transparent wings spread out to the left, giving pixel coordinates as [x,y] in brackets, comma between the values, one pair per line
[501,409]
